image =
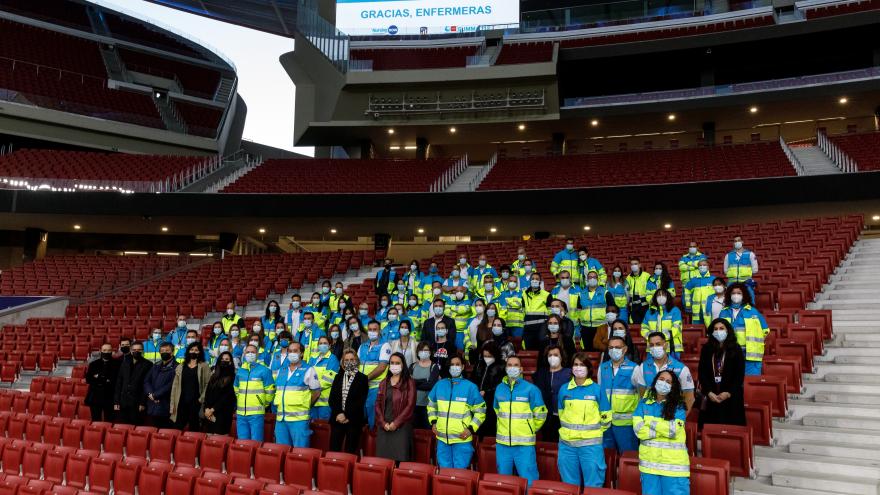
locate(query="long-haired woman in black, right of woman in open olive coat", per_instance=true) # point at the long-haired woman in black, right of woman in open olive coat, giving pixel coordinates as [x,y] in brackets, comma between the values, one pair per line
[188,389]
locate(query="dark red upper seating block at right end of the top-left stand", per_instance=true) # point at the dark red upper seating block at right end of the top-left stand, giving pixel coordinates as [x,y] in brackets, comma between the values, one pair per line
[196,80]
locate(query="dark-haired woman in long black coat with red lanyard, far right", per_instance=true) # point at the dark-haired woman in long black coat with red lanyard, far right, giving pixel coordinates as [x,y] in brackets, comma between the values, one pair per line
[721,377]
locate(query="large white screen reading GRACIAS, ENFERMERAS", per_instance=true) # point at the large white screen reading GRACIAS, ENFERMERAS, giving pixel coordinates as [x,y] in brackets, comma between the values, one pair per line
[422,17]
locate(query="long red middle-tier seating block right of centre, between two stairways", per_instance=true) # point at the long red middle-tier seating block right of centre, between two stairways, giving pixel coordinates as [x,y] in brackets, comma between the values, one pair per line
[741,161]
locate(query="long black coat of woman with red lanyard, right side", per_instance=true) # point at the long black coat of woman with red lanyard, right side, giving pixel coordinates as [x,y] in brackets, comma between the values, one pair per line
[731,411]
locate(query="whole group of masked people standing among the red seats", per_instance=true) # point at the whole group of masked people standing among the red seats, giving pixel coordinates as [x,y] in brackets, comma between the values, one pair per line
[442,354]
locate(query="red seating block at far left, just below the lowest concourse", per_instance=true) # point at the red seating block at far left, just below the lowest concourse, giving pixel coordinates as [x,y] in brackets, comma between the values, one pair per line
[82,276]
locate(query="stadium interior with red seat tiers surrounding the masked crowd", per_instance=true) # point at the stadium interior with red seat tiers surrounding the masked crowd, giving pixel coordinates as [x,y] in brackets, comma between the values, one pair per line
[128,198]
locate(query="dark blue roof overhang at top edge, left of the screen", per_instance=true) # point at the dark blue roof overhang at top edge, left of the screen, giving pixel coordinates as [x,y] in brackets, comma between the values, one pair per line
[272,16]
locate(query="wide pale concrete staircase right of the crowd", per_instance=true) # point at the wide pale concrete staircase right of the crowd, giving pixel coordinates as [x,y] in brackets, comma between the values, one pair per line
[829,443]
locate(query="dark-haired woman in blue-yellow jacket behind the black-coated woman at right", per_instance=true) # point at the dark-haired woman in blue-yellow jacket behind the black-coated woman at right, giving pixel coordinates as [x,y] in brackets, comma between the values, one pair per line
[748,323]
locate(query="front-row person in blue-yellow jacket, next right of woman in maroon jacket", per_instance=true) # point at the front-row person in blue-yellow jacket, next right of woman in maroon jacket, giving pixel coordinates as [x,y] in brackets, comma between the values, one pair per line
[456,411]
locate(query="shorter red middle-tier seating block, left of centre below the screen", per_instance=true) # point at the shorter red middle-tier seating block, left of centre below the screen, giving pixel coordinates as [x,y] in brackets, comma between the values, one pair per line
[340,176]
